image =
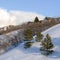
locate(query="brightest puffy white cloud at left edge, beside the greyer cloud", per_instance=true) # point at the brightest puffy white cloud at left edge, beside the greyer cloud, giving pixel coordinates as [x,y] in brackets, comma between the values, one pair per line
[4,17]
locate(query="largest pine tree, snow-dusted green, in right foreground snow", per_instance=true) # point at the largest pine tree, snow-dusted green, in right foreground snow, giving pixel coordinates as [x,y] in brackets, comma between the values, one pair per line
[47,45]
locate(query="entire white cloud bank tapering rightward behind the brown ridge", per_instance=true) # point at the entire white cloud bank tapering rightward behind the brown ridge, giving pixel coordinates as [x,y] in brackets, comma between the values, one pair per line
[15,17]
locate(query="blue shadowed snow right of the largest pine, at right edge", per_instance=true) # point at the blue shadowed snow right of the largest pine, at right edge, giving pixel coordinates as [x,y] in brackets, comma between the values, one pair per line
[56,53]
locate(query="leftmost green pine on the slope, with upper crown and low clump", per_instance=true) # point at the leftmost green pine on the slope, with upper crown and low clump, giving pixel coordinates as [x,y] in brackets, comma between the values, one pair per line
[28,35]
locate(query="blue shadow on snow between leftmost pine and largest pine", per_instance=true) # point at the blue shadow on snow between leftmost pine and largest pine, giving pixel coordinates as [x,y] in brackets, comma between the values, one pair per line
[32,50]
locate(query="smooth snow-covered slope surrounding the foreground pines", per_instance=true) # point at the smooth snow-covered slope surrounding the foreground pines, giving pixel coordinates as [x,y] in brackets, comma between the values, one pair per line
[33,53]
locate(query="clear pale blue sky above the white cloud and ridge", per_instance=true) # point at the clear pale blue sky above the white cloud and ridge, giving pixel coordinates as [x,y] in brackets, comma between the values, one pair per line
[44,7]
